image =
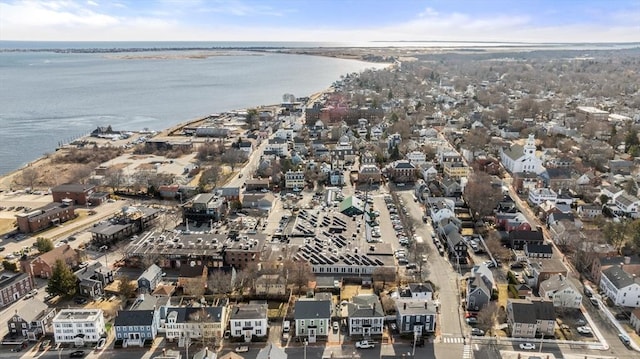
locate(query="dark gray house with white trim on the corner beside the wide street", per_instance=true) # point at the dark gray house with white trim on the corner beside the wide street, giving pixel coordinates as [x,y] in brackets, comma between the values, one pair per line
[415,316]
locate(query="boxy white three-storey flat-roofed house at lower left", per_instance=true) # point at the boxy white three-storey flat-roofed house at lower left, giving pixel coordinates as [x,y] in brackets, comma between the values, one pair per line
[78,326]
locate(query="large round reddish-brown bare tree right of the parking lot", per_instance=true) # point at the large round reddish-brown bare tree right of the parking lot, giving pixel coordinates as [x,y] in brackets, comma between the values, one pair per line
[481,196]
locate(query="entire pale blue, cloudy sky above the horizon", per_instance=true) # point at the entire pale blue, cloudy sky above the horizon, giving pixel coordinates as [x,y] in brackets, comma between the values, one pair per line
[321,20]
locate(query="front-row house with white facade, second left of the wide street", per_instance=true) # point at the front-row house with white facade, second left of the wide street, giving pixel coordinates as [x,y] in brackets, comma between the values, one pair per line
[366,316]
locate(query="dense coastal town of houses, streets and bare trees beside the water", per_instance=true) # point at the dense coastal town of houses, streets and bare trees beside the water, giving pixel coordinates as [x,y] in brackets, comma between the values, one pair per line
[446,206]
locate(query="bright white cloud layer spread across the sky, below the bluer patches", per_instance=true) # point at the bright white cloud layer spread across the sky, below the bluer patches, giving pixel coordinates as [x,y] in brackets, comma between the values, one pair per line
[235,20]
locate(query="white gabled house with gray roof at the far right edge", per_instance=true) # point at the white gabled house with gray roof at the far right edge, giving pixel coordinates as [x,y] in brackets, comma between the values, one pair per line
[621,287]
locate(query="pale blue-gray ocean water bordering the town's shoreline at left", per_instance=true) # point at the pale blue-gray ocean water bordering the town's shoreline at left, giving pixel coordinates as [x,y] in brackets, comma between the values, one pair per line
[52,97]
